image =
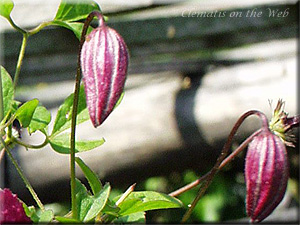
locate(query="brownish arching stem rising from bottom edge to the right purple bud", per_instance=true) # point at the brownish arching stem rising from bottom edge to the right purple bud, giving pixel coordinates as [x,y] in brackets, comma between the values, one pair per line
[208,178]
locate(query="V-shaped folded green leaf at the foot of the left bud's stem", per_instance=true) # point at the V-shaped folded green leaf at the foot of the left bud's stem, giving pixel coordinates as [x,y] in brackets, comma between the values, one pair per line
[90,206]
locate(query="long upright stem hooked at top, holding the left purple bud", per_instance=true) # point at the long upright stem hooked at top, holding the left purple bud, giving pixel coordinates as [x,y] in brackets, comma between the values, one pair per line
[74,111]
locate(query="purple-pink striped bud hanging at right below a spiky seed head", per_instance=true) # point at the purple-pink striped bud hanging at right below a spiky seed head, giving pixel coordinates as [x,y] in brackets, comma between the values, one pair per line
[266,174]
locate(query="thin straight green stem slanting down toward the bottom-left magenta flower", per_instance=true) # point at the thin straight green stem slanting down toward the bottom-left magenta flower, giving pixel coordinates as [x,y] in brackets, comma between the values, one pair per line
[25,180]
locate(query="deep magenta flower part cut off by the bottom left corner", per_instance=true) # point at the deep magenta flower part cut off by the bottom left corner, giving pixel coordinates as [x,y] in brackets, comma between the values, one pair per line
[11,209]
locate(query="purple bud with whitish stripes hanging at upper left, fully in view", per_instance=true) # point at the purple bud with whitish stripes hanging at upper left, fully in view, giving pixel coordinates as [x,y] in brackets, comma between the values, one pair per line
[104,63]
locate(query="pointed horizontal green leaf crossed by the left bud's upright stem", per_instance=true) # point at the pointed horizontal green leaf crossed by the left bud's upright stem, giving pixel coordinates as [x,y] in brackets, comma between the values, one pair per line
[61,144]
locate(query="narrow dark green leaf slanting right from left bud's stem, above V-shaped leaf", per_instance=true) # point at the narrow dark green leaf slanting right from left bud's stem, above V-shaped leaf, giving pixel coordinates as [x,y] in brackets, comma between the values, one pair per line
[92,178]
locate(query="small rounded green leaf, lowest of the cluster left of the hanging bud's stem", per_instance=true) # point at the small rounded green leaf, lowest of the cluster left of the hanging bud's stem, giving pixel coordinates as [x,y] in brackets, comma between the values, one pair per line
[40,119]
